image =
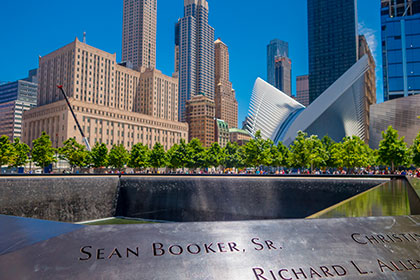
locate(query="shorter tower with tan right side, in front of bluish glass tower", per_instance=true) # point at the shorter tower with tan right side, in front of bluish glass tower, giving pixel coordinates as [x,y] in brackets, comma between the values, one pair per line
[283,74]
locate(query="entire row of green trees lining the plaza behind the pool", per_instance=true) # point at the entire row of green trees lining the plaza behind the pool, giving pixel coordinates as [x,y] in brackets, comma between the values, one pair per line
[305,152]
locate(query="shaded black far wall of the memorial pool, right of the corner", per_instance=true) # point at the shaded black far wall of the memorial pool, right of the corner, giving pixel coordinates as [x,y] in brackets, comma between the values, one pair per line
[236,198]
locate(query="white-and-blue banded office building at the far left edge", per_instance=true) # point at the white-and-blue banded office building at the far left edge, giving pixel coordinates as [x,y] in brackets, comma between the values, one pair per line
[15,99]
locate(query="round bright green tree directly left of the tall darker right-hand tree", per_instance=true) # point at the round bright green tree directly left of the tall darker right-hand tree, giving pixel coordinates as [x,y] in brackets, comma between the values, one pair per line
[352,152]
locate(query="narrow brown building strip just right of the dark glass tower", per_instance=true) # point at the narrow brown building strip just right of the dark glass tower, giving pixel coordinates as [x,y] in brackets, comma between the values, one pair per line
[370,83]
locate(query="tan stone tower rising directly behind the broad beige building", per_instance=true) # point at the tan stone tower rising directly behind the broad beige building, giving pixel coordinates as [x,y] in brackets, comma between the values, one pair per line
[139,33]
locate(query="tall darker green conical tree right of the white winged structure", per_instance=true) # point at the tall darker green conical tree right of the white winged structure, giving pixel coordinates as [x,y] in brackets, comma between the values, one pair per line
[393,150]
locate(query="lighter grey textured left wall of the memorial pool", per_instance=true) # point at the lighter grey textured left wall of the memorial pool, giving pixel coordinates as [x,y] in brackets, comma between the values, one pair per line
[65,199]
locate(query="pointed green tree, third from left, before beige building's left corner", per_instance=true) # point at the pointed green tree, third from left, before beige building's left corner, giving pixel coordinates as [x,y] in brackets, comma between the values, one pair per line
[43,154]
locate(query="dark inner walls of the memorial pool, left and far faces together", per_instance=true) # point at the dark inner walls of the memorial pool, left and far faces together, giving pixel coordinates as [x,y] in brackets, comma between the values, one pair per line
[179,198]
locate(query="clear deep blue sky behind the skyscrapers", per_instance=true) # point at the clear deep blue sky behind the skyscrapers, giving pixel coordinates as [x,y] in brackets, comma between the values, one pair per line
[30,28]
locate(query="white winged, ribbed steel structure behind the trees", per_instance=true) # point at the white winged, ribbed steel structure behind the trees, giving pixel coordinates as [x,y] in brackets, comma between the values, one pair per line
[338,112]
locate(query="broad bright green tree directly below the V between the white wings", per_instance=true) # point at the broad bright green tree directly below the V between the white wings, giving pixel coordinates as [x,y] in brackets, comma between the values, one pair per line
[307,152]
